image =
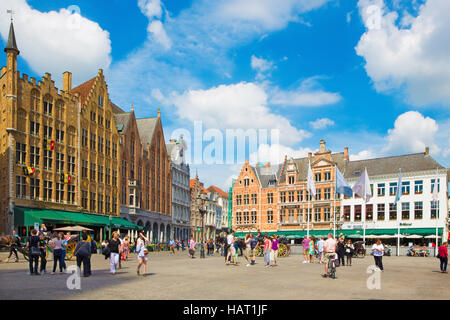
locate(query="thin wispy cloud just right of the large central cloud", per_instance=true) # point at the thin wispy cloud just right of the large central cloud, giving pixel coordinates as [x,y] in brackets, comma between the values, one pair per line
[308,94]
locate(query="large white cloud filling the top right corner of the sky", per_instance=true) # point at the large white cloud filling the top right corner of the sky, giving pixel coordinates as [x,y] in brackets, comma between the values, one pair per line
[412,57]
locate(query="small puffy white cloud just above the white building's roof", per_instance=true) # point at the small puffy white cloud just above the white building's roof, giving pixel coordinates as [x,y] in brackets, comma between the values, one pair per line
[412,132]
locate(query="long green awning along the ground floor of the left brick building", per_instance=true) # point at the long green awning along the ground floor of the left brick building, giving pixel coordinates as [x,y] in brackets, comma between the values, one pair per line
[28,217]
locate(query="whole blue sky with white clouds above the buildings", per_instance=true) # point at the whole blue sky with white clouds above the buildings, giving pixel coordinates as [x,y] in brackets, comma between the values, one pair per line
[364,74]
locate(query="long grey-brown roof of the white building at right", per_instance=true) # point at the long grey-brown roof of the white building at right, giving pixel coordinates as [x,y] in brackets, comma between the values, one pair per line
[390,165]
